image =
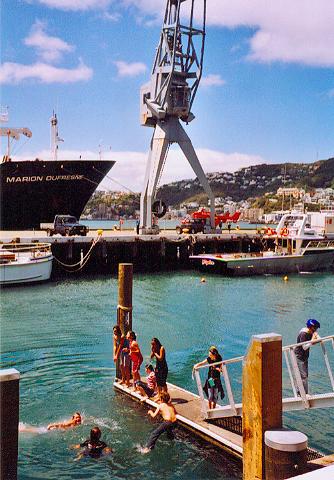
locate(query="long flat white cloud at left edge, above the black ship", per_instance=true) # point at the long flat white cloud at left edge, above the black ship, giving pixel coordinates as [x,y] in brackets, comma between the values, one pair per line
[17,73]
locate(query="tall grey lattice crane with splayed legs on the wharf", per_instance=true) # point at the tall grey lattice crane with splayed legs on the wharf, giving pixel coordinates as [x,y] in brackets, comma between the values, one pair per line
[168,98]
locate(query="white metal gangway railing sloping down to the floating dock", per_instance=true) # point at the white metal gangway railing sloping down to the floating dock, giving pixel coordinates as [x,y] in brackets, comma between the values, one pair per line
[299,400]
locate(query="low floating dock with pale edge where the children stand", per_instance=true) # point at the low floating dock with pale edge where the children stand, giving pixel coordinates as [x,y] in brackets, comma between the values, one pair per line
[188,408]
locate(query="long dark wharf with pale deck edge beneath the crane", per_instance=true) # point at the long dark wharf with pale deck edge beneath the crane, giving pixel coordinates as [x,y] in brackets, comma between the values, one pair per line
[165,251]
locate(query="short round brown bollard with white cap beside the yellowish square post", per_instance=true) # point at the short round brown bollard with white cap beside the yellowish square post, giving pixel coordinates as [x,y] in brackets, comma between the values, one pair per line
[285,454]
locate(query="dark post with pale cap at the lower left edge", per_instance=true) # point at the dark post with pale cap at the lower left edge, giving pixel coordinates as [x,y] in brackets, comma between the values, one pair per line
[9,423]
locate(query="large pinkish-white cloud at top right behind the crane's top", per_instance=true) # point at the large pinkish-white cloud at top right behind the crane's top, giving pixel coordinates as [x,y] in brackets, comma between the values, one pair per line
[298,31]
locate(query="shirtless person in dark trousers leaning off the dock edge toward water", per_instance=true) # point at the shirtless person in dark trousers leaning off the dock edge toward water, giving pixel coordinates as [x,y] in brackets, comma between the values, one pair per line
[168,413]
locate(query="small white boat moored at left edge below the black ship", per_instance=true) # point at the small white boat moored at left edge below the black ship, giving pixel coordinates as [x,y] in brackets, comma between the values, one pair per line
[25,263]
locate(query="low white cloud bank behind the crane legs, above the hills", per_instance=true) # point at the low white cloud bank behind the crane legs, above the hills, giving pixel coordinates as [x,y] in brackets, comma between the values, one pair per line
[129,169]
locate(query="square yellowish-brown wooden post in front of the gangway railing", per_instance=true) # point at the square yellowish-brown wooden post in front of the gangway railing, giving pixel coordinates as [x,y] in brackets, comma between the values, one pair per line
[261,400]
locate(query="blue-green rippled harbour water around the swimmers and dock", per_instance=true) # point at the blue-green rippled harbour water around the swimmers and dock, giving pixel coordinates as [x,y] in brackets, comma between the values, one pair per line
[58,335]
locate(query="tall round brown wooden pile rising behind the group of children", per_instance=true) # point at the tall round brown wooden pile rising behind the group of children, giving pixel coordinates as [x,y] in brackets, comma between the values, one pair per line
[124,308]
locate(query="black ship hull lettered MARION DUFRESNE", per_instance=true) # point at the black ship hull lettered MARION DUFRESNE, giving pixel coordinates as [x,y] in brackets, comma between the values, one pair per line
[33,192]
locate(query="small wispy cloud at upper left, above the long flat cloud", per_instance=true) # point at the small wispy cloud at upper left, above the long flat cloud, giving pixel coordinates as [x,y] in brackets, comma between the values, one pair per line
[50,49]
